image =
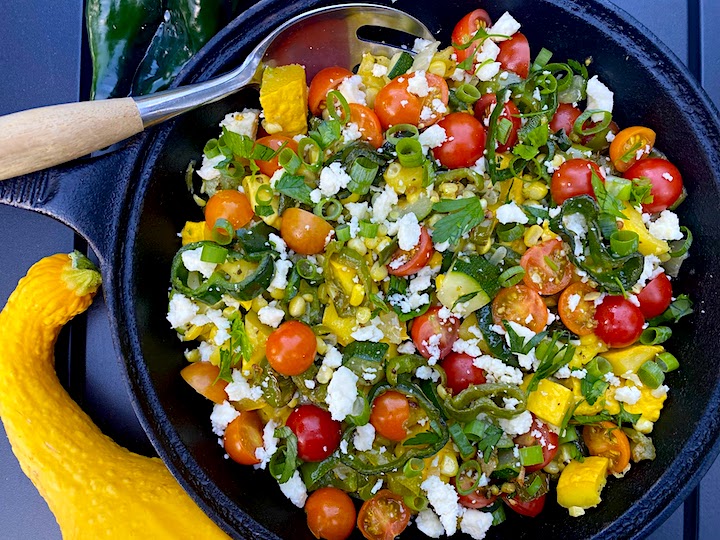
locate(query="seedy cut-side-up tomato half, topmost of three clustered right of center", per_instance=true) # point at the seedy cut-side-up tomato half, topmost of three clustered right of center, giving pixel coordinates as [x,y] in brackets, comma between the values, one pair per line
[547,268]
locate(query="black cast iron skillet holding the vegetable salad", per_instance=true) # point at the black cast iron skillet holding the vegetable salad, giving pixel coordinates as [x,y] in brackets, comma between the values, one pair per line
[130,205]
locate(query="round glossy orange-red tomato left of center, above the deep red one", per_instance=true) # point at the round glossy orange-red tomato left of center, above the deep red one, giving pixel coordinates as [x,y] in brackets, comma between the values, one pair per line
[291,348]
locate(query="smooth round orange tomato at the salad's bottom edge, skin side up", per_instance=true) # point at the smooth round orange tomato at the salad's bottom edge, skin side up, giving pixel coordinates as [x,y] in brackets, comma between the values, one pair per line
[331,514]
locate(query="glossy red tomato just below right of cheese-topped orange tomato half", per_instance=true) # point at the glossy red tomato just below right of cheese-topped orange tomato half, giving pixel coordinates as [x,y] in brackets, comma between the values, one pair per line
[465,141]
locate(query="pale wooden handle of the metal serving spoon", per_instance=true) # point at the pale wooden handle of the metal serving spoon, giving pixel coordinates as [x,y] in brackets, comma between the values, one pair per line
[39,138]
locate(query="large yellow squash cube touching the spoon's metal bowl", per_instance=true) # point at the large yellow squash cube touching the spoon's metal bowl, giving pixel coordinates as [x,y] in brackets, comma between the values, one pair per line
[283,97]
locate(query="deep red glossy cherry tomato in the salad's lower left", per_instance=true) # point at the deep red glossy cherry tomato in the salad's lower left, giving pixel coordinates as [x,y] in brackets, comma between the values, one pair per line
[317,433]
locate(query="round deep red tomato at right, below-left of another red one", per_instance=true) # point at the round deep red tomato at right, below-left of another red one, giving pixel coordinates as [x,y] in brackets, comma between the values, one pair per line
[619,321]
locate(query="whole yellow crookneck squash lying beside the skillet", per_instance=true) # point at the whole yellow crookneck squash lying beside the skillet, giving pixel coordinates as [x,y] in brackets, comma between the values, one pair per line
[95,488]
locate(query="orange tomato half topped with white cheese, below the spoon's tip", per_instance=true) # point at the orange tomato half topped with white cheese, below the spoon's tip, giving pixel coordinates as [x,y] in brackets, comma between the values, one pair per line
[394,104]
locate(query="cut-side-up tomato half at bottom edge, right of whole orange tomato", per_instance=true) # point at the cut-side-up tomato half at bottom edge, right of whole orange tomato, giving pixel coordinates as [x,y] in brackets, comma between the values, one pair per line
[384,516]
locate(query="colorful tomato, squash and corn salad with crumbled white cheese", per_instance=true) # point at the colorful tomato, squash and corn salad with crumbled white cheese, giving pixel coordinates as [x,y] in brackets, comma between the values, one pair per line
[437,286]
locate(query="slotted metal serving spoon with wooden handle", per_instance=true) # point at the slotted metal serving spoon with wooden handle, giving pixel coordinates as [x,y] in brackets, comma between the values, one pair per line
[39,138]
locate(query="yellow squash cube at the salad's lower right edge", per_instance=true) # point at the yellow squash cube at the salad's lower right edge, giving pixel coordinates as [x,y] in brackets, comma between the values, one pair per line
[580,484]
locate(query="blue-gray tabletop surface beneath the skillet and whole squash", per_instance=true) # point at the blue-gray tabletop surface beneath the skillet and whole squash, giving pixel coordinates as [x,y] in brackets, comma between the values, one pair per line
[41,56]
